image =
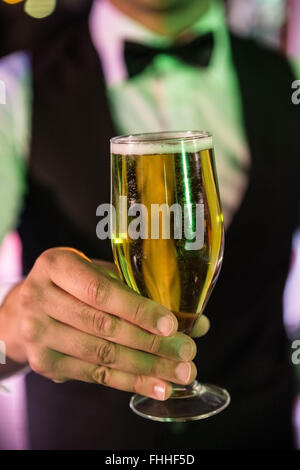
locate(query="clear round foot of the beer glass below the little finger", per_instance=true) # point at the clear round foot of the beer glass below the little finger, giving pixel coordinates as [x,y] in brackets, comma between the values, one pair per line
[187,403]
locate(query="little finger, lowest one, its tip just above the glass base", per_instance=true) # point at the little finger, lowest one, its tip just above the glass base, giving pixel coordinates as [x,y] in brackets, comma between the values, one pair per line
[69,368]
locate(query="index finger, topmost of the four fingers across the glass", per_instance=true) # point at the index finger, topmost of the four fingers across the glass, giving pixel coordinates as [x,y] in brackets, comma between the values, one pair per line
[86,281]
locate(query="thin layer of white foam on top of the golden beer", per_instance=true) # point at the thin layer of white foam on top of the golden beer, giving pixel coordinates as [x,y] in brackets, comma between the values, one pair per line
[188,144]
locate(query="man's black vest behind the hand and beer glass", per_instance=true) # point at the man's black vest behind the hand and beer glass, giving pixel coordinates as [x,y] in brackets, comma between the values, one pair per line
[246,349]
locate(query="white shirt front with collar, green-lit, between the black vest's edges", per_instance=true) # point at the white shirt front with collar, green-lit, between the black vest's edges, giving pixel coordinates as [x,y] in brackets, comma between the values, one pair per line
[171,95]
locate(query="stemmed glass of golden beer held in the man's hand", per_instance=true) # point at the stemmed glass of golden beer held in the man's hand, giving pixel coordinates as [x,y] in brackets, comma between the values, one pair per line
[167,238]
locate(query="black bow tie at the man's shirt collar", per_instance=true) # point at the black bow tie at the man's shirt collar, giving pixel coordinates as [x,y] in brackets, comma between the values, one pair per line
[197,52]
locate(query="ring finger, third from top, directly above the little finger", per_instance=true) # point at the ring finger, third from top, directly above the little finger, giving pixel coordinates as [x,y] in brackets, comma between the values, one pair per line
[71,342]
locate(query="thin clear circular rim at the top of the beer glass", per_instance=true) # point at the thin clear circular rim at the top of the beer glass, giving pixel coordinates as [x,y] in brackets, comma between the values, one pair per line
[167,137]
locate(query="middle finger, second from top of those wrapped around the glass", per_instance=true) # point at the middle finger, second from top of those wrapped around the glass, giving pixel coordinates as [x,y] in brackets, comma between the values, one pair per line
[67,309]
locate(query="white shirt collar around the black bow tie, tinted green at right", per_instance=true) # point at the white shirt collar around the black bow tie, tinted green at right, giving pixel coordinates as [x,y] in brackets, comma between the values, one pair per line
[109,28]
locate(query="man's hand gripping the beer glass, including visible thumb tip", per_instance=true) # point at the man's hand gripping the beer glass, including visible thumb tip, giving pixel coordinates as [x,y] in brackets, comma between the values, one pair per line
[73,320]
